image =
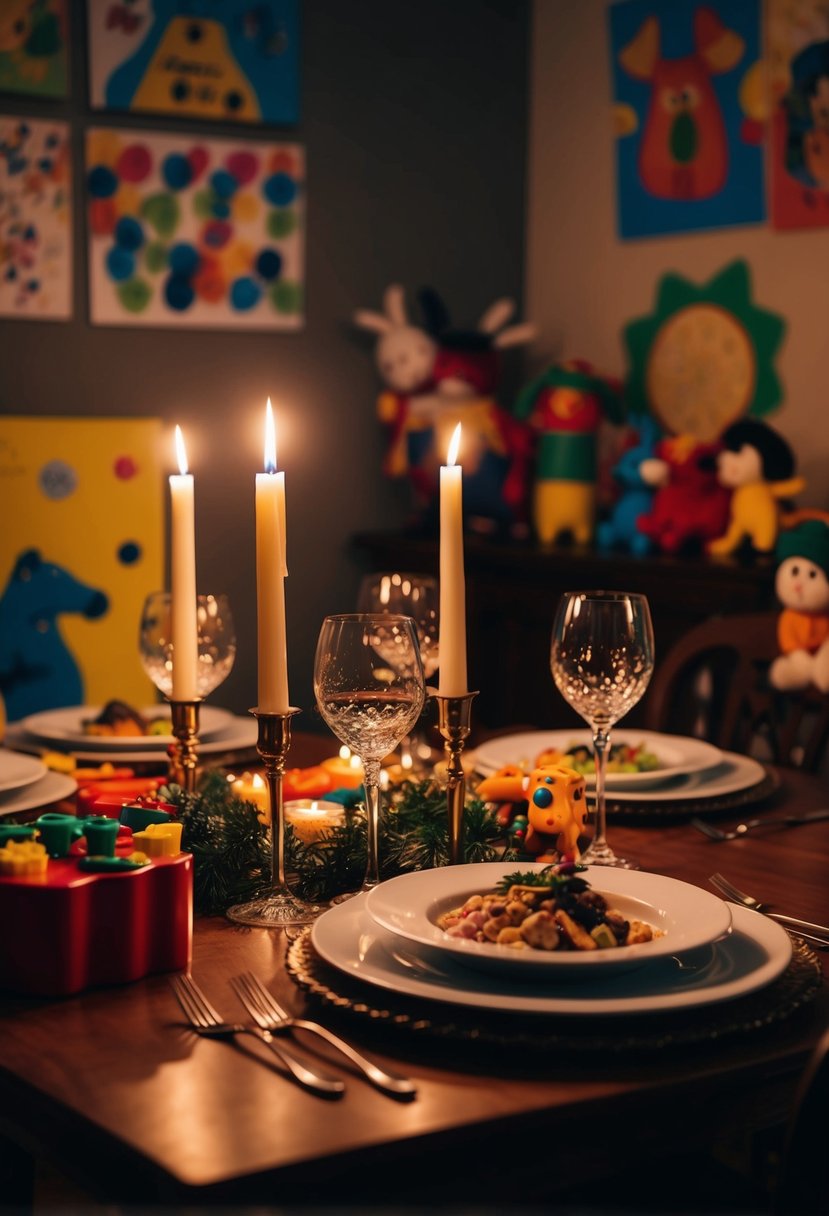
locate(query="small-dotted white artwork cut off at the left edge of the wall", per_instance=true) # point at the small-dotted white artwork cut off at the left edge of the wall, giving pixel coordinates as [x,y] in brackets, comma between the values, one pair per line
[36,219]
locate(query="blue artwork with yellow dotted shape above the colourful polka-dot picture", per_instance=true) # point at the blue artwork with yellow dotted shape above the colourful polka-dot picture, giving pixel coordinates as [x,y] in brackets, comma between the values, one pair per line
[238,61]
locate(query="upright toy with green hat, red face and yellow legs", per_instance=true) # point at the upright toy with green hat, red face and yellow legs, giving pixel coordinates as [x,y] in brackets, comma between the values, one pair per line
[565,409]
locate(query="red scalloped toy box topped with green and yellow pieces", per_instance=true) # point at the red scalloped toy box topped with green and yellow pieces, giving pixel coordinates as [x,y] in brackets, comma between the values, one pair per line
[94,902]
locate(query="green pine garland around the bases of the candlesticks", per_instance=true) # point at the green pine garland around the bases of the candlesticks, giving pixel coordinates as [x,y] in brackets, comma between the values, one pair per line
[233,853]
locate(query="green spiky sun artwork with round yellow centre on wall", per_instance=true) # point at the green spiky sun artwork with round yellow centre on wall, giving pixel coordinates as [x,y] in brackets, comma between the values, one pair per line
[704,357]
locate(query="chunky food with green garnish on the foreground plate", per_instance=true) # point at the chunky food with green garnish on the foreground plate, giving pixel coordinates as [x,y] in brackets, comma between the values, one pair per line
[556,909]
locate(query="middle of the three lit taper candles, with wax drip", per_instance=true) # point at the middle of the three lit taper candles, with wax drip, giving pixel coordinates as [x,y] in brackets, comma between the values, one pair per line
[270,581]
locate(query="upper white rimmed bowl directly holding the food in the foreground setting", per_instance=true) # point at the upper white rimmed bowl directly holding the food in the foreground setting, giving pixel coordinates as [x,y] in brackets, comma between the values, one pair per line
[689,917]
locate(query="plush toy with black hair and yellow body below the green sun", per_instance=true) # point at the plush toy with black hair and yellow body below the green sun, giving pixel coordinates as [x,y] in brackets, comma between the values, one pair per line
[758,465]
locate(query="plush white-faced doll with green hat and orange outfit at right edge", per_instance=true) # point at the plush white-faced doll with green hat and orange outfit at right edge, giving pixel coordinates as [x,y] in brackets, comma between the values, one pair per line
[803,588]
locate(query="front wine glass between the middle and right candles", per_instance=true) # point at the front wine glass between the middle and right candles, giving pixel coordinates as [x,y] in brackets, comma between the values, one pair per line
[370,690]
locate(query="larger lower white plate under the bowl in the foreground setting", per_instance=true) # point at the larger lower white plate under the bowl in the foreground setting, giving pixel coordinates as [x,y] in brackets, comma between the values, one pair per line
[751,958]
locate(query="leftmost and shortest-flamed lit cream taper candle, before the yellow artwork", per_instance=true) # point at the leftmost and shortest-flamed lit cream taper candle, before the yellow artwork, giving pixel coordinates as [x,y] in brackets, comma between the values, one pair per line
[183,579]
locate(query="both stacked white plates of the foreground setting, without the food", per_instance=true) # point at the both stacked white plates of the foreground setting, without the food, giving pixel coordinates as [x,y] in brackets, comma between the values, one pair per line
[709,952]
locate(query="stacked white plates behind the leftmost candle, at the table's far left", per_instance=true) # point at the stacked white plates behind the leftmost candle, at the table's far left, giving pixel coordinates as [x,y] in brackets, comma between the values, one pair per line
[63,730]
